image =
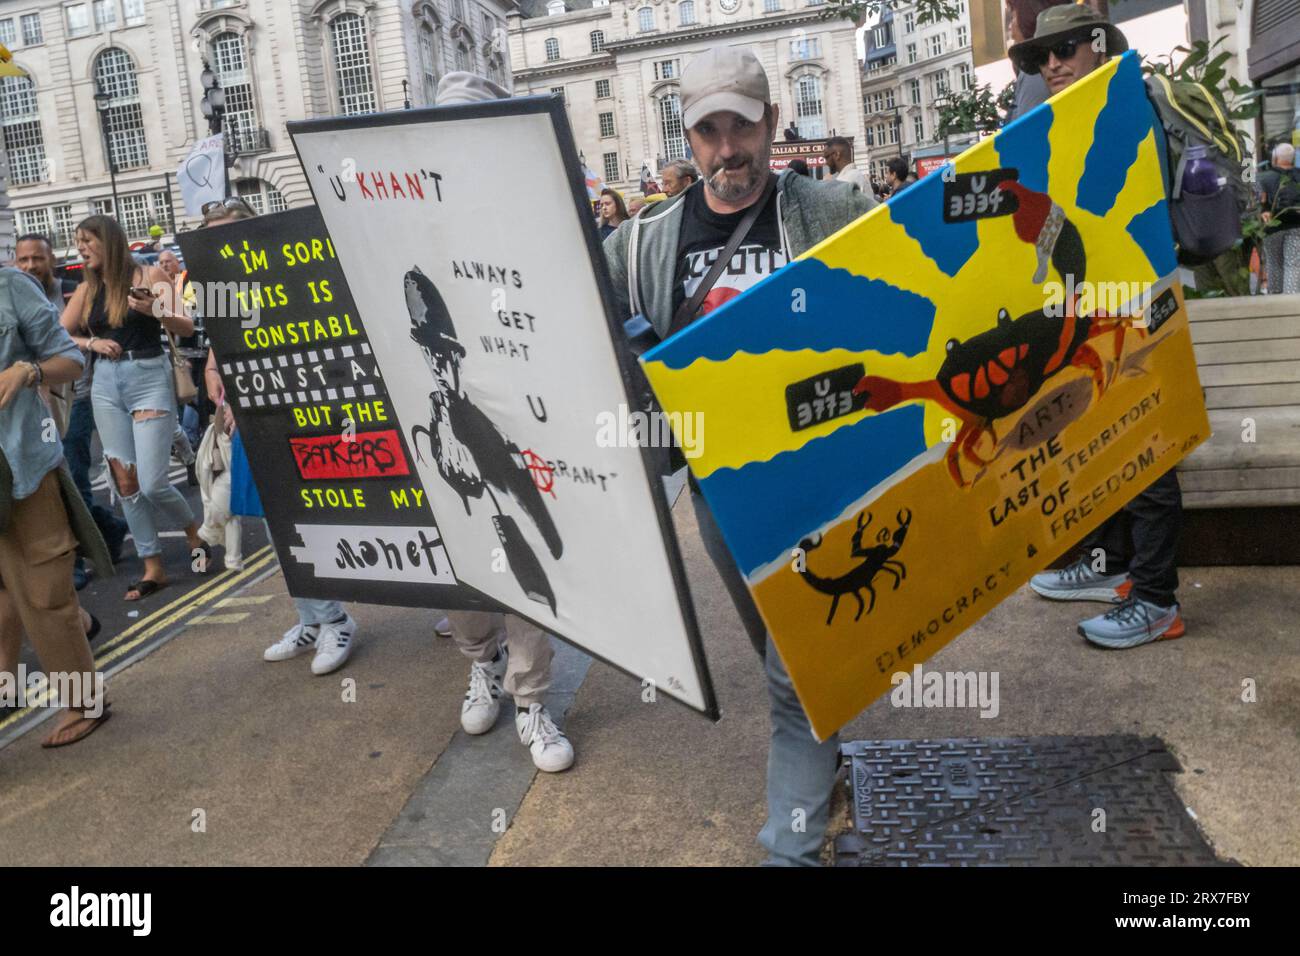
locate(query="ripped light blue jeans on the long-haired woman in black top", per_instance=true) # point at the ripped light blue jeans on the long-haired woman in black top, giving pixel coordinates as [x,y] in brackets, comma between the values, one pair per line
[120,390]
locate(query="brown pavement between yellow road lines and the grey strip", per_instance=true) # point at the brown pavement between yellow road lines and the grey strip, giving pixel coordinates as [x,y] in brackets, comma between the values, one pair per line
[283,768]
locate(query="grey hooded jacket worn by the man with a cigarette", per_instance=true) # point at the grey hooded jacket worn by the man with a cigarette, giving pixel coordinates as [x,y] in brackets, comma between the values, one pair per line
[643,253]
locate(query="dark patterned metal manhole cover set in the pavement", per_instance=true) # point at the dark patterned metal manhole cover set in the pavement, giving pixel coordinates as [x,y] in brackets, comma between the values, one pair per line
[1013,802]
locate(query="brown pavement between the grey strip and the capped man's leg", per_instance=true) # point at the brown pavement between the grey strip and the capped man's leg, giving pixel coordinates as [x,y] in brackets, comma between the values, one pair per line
[657,784]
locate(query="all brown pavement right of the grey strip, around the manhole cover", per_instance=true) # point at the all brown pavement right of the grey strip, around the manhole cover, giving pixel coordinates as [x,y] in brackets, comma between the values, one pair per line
[657,785]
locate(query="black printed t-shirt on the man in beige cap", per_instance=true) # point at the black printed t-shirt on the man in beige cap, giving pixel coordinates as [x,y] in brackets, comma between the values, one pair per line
[705,233]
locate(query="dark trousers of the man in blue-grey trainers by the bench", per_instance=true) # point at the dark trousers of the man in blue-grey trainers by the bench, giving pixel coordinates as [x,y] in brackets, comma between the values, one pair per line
[1143,539]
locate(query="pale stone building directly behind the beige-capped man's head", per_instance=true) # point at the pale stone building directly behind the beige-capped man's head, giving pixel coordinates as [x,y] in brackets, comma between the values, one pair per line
[618,64]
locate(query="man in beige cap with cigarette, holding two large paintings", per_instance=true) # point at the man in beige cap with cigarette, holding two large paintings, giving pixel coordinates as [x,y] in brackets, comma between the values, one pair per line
[688,256]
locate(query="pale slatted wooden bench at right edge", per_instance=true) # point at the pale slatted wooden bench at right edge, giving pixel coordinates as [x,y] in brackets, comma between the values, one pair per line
[1249,356]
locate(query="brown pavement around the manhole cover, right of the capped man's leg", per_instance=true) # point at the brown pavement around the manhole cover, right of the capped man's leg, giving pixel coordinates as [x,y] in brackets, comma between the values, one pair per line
[1241,762]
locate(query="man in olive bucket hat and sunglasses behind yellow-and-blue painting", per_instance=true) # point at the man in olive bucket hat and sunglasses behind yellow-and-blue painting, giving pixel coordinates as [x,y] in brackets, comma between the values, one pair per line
[1130,561]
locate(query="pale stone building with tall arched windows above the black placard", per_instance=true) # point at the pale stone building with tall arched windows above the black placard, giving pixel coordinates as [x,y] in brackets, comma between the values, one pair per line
[278,62]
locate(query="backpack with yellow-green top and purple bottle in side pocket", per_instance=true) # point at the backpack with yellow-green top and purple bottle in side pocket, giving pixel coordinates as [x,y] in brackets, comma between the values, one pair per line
[1204,226]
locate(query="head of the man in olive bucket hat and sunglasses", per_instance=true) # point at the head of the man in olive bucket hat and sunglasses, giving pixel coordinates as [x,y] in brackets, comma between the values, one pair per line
[1069,44]
